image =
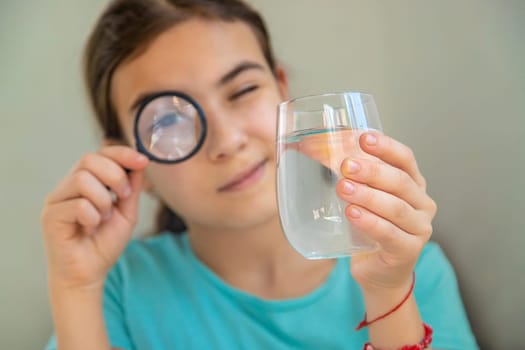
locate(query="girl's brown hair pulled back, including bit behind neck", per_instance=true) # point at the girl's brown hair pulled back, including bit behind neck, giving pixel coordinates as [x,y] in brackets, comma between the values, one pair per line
[125,29]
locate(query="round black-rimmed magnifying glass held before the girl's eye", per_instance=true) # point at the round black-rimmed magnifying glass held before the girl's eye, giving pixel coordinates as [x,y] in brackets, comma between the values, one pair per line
[170,127]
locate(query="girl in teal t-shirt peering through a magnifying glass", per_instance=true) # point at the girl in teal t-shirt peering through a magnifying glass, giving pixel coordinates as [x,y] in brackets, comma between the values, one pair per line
[220,274]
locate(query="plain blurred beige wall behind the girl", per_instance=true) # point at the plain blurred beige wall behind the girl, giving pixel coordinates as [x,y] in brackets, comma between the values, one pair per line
[449,80]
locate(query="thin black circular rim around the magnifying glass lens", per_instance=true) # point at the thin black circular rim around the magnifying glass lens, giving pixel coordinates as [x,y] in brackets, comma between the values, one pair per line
[143,105]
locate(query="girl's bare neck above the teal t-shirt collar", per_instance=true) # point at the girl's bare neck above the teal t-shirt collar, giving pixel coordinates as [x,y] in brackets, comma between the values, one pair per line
[258,260]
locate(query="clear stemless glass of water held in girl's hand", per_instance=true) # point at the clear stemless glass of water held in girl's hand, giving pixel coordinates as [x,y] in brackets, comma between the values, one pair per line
[314,135]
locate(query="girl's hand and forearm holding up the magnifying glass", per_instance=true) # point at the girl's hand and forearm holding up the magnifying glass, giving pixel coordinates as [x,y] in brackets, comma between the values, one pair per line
[85,232]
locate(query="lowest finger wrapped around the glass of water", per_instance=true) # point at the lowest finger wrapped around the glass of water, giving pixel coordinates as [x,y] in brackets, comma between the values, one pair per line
[391,238]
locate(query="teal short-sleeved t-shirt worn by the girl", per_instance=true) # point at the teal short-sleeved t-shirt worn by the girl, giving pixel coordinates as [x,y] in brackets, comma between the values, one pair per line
[160,296]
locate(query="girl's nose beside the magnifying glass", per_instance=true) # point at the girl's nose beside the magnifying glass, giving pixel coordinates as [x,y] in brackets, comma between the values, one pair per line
[226,135]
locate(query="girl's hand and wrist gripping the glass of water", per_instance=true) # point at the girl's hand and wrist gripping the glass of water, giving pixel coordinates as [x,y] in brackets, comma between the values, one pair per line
[388,202]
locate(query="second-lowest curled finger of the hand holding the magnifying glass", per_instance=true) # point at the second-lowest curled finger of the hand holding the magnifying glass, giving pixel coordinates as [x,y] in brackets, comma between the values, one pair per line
[84,184]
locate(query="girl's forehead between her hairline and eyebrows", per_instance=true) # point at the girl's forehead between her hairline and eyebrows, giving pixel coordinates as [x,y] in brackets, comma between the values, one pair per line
[190,57]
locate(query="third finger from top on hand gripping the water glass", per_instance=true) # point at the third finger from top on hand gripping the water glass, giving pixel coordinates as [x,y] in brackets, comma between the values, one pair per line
[386,206]
